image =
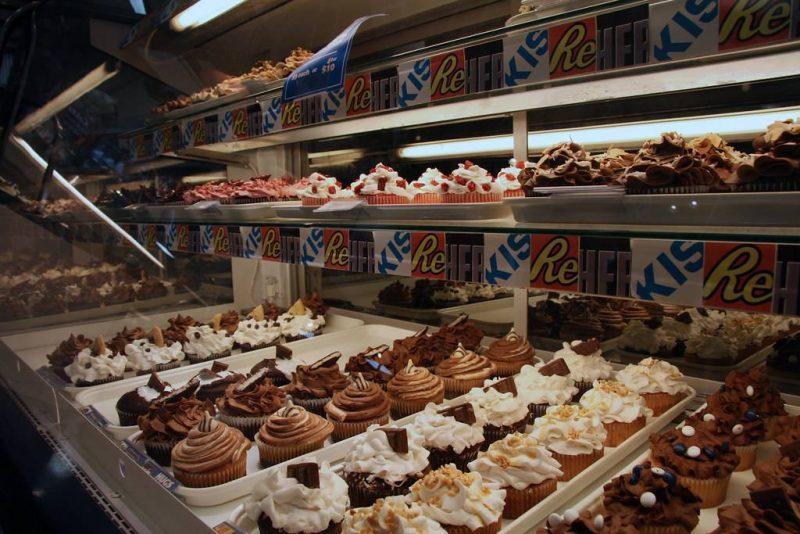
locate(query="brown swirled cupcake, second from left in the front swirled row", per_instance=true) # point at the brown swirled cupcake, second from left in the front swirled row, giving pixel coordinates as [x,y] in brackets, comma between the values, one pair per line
[291,432]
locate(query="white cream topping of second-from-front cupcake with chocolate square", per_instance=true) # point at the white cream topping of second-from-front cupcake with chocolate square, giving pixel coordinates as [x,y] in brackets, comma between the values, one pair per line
[372,454]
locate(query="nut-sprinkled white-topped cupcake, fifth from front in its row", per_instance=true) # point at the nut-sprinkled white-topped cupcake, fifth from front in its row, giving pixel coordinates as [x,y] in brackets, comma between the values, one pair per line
[622,411]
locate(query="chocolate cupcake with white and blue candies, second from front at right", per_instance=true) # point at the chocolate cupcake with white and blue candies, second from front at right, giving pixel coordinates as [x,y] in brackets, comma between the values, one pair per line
[655,500]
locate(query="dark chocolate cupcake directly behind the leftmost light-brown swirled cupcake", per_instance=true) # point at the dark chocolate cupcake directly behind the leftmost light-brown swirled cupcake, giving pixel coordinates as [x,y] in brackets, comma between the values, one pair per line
[169,419]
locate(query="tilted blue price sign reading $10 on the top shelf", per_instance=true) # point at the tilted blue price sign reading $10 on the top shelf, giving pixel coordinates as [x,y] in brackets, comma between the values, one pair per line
[325,70]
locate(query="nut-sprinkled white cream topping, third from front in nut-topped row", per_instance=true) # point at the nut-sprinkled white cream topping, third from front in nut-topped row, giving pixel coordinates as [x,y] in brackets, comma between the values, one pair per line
[518,461]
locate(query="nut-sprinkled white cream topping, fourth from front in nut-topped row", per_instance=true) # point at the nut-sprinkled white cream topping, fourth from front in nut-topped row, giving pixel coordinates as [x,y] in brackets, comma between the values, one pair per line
[570,430]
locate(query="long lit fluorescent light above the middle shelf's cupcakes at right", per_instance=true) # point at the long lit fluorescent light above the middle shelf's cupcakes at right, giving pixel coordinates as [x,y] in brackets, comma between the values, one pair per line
[733,127]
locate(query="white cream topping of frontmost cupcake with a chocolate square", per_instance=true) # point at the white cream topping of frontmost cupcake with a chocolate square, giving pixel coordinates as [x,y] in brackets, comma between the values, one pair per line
[295,508]
